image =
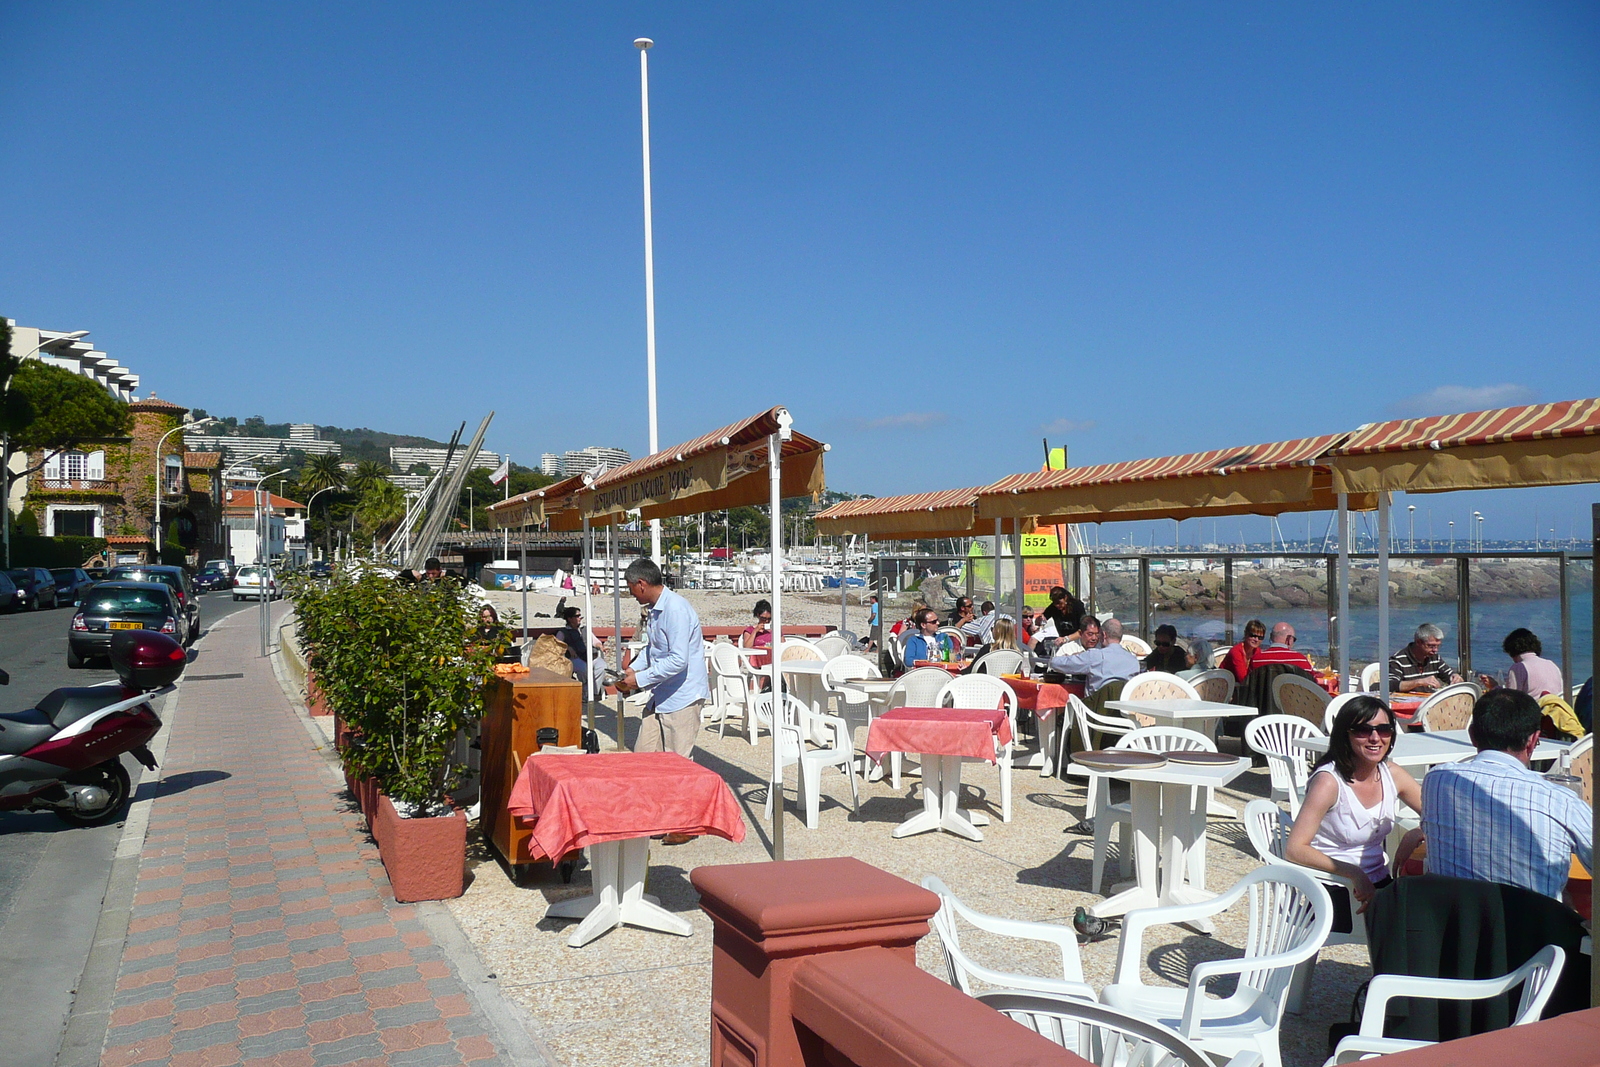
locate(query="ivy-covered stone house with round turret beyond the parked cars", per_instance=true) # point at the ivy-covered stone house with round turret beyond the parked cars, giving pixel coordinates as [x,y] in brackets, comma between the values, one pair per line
[108,490]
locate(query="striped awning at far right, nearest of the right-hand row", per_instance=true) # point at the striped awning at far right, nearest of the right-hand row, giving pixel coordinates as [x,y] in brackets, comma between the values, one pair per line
[1543,444]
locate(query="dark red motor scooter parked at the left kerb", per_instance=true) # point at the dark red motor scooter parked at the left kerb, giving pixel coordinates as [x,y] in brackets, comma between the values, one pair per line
[65,756]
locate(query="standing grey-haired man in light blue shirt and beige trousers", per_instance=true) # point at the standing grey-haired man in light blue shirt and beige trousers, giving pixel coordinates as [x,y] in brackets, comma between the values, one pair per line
[674,669]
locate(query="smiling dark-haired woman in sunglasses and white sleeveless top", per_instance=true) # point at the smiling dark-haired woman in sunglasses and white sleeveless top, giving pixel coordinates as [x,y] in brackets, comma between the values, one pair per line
[1350,805]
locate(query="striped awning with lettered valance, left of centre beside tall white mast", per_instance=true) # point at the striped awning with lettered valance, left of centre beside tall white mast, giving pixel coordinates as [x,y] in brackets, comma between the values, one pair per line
[711,473]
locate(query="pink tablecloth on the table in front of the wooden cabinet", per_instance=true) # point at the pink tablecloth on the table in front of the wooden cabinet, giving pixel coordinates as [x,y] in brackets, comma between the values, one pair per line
[582,801]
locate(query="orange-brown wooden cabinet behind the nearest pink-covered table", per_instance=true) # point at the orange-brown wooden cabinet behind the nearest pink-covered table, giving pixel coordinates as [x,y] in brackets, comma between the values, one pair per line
[518,709]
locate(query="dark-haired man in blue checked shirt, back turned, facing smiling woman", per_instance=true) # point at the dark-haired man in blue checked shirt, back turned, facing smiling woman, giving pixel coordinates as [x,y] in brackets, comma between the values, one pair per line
[1495,820]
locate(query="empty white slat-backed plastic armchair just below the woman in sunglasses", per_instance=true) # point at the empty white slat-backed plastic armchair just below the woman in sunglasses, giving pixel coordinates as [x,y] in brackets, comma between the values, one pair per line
[1290,916]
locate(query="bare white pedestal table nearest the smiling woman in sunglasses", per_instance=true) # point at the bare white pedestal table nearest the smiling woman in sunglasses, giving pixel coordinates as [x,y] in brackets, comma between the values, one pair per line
[1166,829]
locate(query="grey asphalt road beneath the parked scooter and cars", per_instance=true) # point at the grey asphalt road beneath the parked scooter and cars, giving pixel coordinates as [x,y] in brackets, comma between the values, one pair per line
[52,876]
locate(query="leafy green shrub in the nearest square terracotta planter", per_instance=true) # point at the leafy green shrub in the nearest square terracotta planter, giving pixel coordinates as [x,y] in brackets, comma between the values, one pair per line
[396,665]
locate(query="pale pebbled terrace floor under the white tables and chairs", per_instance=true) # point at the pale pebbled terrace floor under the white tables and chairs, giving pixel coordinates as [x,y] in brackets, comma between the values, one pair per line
[638,996]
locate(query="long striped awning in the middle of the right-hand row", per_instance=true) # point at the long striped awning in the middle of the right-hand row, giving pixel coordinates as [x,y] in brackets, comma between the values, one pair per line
[1257,479]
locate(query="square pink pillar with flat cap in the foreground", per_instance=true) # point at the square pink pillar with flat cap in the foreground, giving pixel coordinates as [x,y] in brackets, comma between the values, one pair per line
[770,919]
